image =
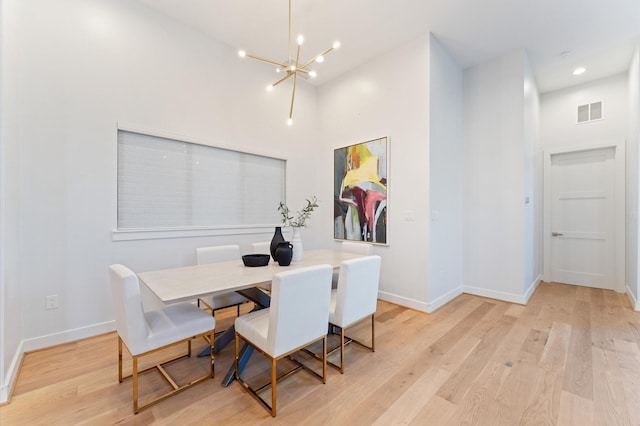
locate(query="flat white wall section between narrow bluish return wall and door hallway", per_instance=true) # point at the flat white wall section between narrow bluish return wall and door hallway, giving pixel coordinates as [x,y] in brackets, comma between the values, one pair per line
[494,181]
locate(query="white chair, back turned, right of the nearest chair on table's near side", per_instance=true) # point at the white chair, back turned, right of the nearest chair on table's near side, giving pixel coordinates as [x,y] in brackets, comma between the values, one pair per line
[355,299]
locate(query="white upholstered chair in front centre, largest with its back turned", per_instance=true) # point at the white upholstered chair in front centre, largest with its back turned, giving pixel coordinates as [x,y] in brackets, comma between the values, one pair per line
[297,317]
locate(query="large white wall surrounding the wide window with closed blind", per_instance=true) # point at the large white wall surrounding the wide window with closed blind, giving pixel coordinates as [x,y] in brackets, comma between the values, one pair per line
[78,68]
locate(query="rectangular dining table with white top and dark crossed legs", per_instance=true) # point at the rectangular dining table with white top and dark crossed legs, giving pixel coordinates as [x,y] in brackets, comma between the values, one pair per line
[190,282]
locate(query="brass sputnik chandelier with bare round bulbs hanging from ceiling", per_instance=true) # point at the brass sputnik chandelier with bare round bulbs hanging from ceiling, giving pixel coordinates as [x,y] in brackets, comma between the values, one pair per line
[292,68]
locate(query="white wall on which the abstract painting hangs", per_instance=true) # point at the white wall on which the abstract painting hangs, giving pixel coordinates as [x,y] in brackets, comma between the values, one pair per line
[387,97]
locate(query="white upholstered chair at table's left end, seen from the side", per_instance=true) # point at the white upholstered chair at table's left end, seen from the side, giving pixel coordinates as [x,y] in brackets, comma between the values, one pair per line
[144,333]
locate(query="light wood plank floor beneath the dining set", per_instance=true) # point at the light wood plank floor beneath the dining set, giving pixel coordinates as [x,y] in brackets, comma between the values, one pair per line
[571,356]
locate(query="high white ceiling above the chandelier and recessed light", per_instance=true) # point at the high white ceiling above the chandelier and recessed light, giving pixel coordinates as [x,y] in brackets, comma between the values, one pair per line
[599,34]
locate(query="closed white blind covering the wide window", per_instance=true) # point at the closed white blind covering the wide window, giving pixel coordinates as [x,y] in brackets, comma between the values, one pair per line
[166,183]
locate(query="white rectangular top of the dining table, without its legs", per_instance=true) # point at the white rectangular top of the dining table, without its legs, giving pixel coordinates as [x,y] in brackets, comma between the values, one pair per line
[189,282]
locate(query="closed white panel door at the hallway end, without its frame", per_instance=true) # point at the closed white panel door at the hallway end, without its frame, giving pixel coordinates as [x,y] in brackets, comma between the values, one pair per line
[582,218]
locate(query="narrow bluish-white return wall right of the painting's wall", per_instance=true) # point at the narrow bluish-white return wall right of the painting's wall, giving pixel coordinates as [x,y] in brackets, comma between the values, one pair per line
[446,173]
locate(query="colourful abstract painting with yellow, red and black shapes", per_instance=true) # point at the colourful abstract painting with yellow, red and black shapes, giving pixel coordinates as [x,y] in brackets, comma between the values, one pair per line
[360,192]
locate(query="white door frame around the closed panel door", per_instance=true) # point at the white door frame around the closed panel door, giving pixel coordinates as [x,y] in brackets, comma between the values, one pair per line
[619,215]
